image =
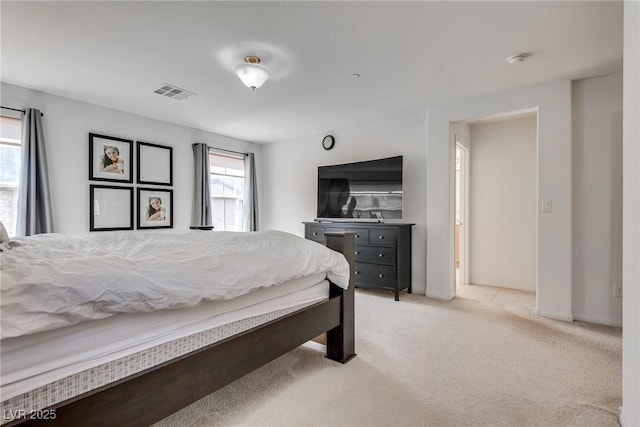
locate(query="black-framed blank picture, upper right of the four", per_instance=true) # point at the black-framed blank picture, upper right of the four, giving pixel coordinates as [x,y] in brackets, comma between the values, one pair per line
[155,164]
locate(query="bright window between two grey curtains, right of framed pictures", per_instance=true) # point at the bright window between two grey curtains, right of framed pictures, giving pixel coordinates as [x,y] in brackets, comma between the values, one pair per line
[227,176]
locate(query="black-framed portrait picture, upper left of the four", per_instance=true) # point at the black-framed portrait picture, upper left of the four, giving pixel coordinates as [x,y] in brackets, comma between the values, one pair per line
[110,158]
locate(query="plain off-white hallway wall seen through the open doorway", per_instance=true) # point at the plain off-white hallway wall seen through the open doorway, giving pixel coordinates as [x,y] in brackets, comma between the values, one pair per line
[503,203]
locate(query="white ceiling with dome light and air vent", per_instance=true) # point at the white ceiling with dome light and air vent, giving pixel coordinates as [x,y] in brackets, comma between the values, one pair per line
[409,55]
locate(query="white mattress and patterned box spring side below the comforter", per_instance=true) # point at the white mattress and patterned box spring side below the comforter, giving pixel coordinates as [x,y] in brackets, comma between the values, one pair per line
[42,369]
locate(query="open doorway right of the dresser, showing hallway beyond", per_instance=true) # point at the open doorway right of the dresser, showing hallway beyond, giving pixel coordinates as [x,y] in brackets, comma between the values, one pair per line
[495,212]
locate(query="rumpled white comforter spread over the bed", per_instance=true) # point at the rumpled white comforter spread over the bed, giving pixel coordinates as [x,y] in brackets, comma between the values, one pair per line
[53,280]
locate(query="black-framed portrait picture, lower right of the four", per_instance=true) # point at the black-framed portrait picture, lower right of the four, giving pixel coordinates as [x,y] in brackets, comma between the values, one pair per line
[155,208]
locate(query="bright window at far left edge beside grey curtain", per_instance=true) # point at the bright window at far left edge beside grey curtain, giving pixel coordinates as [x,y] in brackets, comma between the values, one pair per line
[10,139]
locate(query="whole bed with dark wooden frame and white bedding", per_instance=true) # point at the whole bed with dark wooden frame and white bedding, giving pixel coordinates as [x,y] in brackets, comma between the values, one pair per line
[74,352]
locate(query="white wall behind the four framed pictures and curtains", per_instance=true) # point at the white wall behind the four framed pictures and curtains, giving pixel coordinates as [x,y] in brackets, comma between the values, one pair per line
[67,124]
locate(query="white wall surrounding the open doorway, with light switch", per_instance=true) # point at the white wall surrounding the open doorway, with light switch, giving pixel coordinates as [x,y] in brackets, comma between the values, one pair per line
[553,104]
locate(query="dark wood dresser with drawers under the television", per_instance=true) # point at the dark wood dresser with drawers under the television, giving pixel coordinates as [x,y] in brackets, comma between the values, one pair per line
[382,252]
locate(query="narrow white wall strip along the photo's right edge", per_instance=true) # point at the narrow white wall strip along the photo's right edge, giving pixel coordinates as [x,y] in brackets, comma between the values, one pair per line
[630,415]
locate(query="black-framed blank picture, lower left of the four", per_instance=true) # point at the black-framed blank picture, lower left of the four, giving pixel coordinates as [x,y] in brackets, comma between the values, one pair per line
[110,208]
